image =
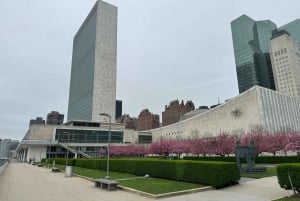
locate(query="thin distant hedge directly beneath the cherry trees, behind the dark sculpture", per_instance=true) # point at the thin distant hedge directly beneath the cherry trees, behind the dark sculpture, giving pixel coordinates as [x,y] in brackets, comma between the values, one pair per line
[258,160]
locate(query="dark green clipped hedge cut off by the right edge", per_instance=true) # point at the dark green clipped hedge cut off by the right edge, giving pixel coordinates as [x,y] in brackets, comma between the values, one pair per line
[292,169]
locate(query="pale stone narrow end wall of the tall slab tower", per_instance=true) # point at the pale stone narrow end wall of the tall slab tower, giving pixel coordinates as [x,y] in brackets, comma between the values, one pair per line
[105,75]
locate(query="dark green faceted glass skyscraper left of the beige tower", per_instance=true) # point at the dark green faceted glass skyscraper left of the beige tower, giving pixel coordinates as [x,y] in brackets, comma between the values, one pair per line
[251,40]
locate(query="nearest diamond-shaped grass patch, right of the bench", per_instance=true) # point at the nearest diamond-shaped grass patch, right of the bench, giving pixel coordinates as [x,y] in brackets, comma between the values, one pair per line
[157,186]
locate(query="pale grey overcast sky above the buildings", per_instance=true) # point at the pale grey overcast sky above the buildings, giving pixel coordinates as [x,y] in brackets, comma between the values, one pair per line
[167,50]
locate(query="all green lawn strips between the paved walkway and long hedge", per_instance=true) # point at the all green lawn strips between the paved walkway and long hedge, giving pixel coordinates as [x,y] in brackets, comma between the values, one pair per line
[148,185]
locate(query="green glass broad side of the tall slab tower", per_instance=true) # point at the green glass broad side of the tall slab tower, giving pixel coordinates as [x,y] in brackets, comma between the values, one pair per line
[82,71]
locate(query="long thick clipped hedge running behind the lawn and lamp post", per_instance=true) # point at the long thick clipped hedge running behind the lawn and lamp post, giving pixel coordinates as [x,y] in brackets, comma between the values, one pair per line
[216,174]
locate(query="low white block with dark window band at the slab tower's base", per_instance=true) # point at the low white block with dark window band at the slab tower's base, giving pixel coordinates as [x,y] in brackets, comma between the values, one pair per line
[74,138]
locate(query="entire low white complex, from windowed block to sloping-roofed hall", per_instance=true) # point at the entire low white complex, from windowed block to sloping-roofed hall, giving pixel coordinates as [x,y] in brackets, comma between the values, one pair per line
[257,107]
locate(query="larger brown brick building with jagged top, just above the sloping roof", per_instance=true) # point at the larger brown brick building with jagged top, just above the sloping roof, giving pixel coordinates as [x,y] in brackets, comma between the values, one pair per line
[173,111]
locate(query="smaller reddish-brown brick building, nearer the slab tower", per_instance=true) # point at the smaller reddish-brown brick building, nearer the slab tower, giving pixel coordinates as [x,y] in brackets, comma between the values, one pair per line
[147,121]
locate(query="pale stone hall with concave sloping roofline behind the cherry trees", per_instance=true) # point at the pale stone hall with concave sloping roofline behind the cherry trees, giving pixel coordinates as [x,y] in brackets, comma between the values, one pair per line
[257,107]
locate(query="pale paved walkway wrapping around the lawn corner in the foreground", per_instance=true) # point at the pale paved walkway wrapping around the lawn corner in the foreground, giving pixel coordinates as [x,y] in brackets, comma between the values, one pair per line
[24,182]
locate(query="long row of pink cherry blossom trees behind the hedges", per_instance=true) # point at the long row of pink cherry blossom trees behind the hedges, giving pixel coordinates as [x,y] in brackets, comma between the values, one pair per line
[223,144]
